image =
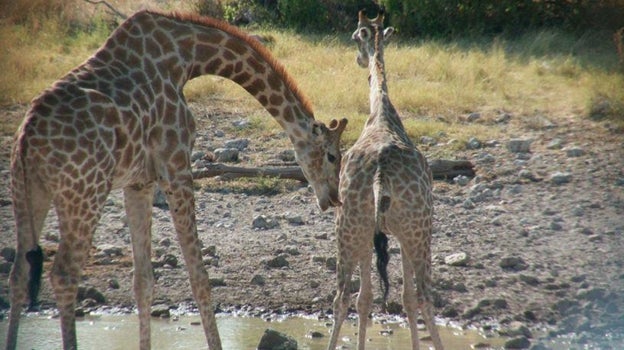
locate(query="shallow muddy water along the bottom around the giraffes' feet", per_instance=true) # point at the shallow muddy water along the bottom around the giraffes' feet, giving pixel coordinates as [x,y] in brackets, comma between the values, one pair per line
[113,332]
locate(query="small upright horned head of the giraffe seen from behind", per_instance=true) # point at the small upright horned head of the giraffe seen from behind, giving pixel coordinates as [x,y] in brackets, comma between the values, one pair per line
[368,35]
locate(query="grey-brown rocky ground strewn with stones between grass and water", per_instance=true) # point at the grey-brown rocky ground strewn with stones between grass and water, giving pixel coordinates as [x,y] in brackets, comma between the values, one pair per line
[532,247]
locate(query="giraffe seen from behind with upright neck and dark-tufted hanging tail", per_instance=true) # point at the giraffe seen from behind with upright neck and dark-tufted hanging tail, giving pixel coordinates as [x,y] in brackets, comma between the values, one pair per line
[385,186]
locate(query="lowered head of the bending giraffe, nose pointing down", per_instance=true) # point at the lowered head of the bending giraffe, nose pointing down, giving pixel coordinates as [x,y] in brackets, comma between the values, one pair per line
[320,160]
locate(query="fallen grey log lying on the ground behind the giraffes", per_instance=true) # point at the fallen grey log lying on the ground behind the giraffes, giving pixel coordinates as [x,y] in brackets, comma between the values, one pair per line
[442,169]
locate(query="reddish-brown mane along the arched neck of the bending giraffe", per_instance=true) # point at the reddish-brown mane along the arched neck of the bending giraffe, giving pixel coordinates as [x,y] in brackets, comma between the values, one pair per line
[252,42]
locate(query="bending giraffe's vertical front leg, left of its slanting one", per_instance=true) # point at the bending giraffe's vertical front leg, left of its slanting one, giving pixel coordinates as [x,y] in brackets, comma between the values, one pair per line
[138,204]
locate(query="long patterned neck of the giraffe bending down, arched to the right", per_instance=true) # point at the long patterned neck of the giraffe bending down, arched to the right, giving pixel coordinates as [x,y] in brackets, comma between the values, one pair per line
[217,48]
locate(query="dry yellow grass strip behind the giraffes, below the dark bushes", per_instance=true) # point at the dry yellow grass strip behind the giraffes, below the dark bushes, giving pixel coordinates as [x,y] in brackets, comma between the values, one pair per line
[432,84]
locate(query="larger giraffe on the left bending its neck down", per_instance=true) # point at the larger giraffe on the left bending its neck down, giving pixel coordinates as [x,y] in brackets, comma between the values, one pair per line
[120,120]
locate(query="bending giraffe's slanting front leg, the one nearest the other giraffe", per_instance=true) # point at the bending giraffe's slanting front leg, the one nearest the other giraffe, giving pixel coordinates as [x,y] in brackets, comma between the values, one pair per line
[182,206]
